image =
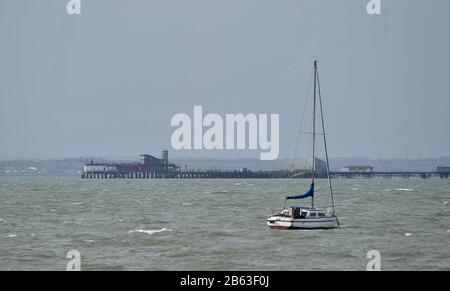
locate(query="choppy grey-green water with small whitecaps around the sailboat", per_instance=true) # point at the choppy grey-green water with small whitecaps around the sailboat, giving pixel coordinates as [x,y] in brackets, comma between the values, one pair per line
[218,225]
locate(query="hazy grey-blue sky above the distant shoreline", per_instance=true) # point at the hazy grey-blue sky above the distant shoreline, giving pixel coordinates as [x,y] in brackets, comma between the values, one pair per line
[108,82]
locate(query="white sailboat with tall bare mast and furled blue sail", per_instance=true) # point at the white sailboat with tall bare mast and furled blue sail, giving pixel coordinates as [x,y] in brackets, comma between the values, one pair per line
[296,217]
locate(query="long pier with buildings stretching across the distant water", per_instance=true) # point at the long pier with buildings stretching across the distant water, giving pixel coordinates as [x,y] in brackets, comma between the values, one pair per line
[150,167]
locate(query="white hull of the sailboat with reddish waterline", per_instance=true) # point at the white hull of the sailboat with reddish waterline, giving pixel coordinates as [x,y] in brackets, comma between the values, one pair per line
[278,222]
